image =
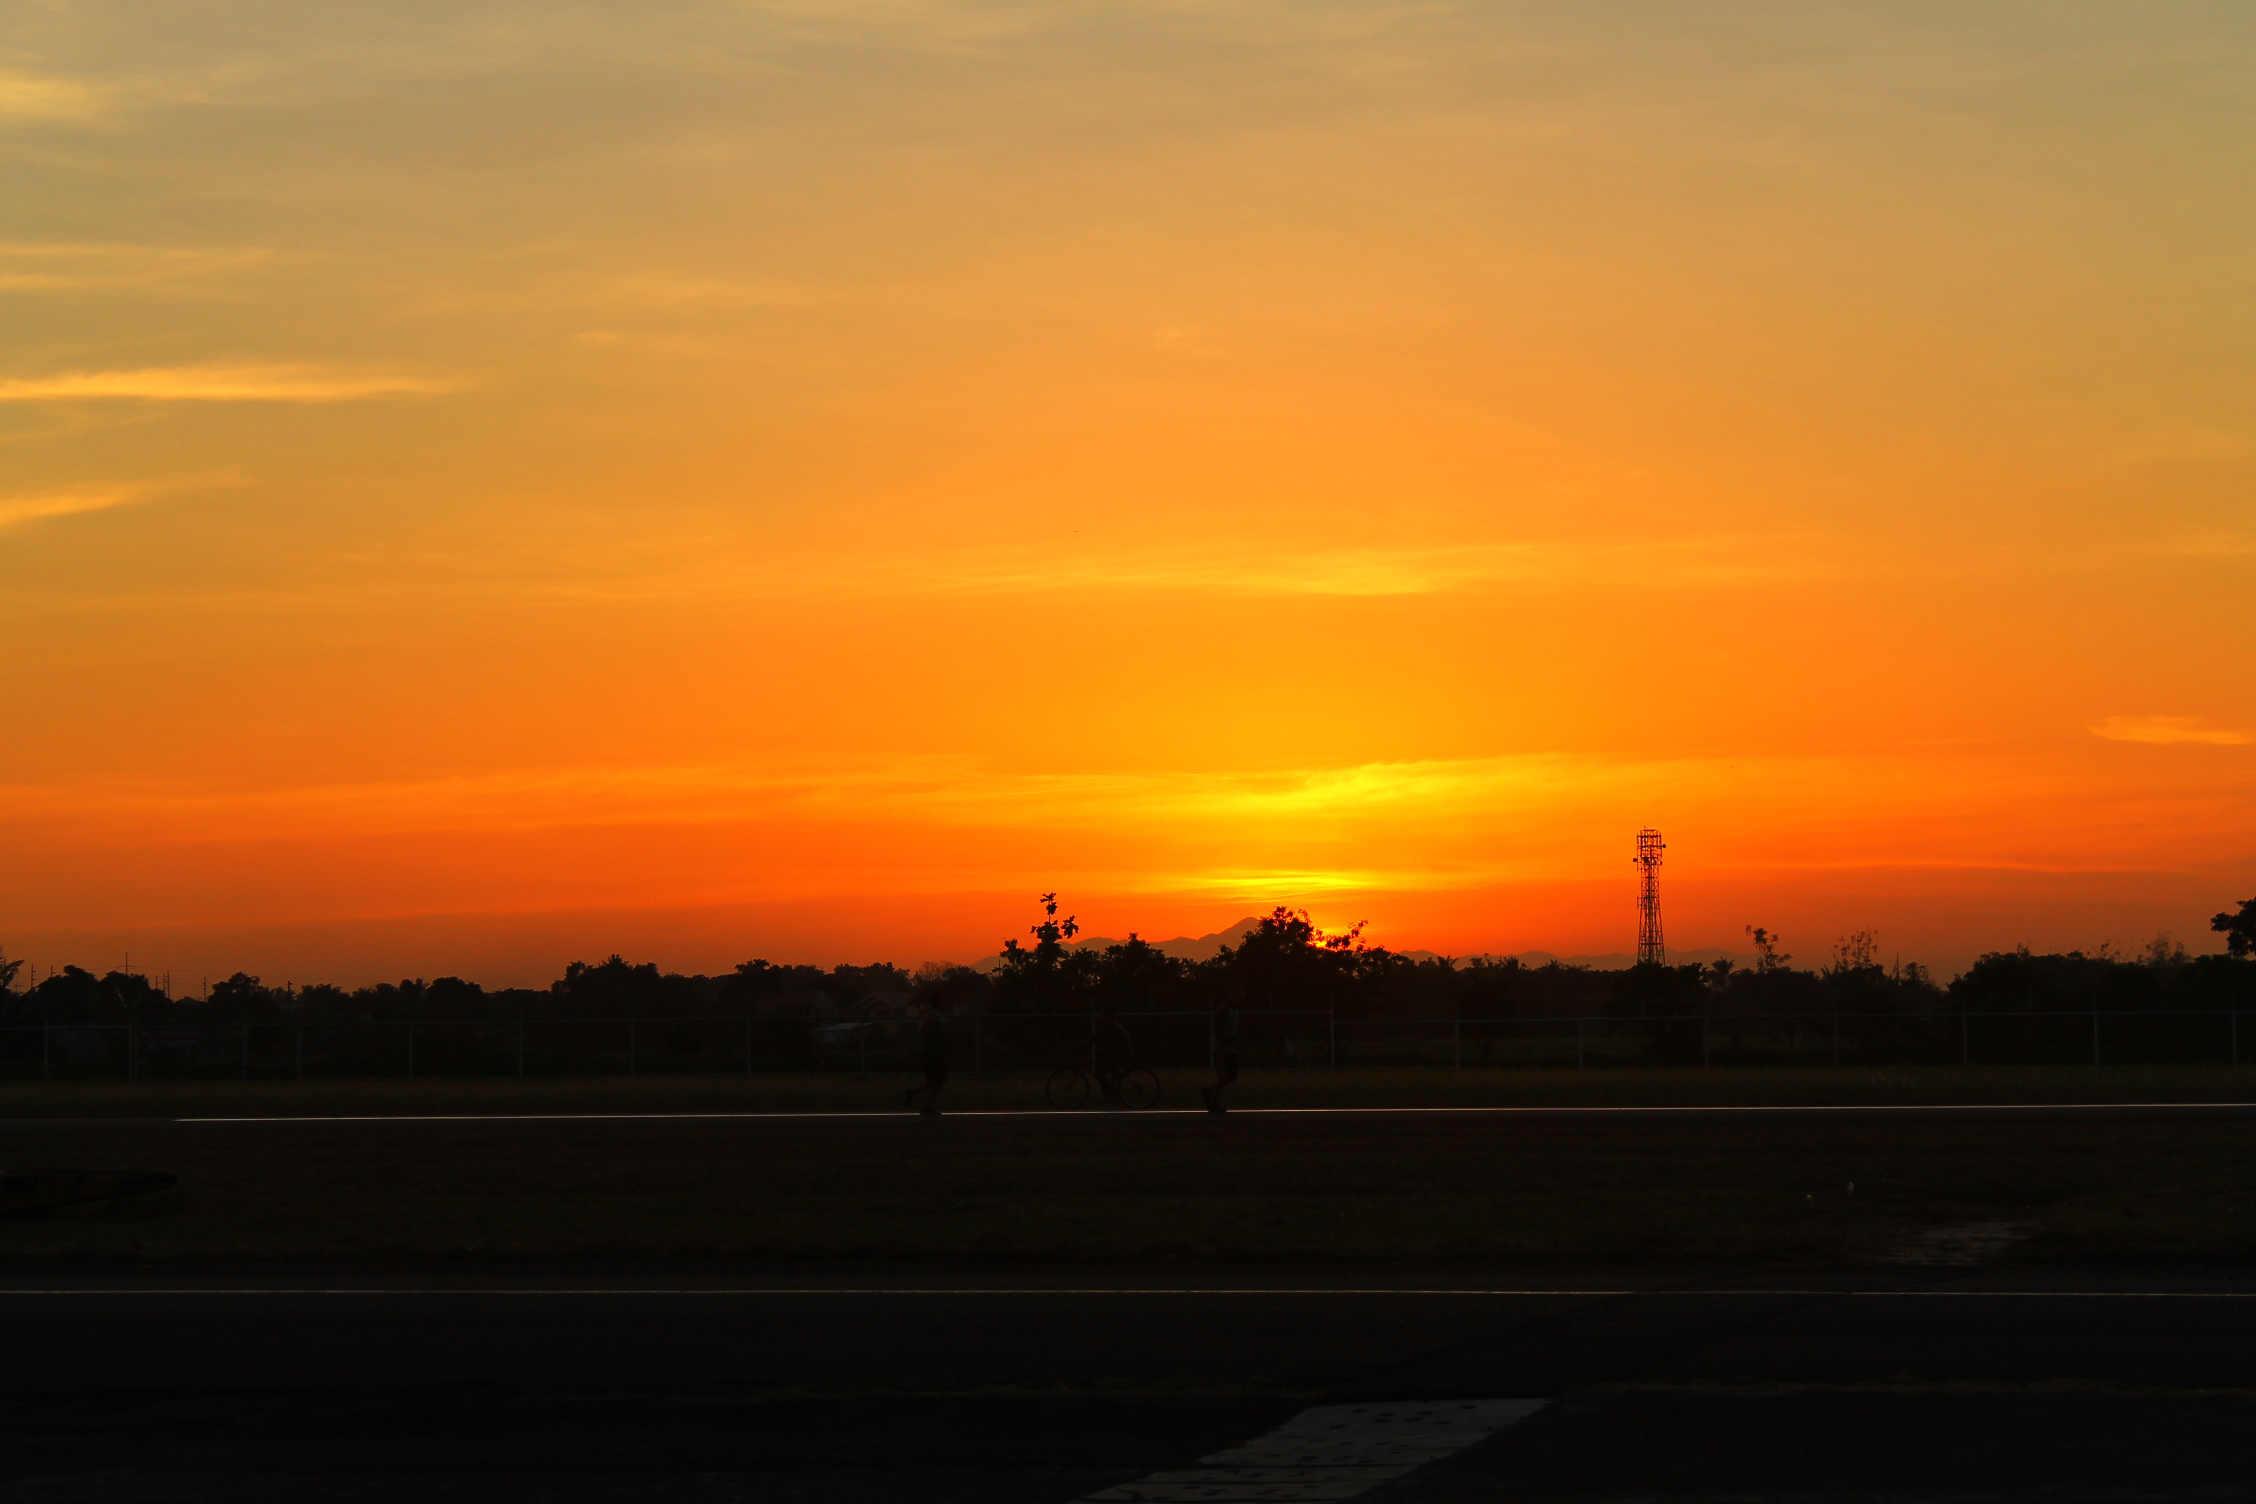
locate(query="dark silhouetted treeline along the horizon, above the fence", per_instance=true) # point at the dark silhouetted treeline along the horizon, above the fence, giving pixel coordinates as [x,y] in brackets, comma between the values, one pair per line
[1285,964]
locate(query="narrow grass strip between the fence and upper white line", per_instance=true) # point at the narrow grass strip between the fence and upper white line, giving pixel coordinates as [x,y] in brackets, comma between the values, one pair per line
[1653,1088]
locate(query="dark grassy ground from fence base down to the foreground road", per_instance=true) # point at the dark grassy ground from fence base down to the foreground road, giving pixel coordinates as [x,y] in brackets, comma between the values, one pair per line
[1154,1187]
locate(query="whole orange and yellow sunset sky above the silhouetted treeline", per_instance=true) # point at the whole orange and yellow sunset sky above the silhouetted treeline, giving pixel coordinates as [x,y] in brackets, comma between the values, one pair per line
[500,484]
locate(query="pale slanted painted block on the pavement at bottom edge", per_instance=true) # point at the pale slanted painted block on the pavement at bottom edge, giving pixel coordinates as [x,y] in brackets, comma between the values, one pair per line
[1328,1453]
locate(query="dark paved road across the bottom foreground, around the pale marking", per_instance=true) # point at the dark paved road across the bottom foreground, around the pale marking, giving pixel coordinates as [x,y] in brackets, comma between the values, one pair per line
[1041,1386]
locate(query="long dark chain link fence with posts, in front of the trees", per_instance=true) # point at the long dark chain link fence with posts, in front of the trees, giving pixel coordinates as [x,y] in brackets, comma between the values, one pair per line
[994,1045]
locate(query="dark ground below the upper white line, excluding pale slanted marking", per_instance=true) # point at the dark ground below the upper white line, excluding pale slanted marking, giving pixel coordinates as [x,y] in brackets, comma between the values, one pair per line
[1025,1309]
